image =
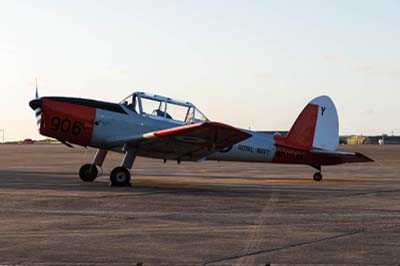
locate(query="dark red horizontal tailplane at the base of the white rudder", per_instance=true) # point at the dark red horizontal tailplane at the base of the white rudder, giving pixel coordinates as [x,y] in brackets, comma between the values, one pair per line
[340,157]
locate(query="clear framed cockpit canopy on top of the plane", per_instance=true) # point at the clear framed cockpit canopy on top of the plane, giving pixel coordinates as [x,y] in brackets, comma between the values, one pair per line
[160,107]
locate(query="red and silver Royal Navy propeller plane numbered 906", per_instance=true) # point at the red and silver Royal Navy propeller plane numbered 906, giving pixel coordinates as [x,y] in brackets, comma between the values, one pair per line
[160,127]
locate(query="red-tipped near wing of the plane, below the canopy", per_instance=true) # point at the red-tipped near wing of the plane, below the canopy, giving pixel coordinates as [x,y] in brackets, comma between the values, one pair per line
[190,142]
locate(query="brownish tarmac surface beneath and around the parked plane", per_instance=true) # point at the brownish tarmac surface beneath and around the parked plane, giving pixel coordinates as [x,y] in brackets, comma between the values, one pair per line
[209,213]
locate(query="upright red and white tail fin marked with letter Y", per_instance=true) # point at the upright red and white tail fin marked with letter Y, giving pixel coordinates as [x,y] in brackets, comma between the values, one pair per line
[316,127]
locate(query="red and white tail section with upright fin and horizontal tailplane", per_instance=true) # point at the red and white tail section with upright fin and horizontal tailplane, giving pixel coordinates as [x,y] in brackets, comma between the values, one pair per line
[315,137]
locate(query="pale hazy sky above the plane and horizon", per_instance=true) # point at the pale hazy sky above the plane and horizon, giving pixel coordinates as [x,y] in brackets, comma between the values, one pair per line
[246,63]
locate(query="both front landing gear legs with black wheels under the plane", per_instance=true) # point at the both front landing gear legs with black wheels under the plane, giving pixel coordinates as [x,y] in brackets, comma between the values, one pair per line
[119,176]
